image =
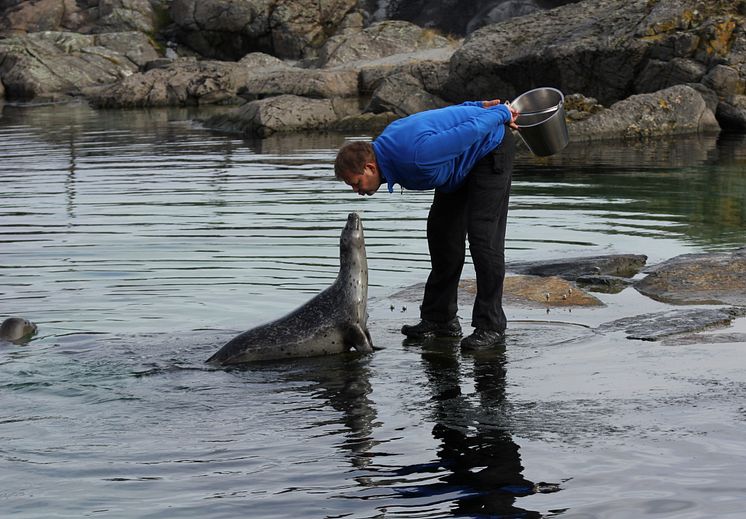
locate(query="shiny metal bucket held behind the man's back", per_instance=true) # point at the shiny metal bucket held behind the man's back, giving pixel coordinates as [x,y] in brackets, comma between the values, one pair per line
[541,120]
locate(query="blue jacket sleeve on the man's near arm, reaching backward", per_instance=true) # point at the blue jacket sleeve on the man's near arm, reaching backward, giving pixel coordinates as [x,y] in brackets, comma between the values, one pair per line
[437,147]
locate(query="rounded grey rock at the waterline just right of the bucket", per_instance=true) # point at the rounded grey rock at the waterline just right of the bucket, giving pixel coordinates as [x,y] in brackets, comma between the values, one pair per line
[674,111]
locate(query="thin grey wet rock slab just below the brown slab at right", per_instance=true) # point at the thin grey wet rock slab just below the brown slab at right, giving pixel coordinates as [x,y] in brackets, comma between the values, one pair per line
[656,326]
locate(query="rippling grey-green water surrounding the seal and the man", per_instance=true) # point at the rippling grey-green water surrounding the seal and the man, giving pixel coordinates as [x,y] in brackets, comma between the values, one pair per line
[139,243]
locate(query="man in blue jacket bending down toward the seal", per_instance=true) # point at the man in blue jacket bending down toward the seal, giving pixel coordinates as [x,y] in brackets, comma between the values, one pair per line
[465,153]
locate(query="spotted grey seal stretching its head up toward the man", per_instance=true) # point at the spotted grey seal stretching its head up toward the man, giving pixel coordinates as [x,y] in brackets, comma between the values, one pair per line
[332,322]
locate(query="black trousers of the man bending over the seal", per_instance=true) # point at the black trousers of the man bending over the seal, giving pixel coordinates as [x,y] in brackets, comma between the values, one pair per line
[479,210]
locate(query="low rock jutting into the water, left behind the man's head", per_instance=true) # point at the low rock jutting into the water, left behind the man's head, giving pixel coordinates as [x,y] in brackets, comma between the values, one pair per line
[283,113]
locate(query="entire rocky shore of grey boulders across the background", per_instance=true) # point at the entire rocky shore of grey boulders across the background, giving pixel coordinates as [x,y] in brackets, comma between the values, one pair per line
[629,70]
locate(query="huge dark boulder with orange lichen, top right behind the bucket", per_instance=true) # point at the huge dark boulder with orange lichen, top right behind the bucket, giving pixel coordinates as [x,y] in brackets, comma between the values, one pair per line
[600,48]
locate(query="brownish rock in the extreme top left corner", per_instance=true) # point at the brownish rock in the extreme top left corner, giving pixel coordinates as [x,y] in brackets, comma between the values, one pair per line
[87,17]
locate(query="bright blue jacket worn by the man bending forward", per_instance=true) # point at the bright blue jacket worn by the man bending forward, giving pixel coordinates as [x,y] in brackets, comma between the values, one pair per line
[438,148]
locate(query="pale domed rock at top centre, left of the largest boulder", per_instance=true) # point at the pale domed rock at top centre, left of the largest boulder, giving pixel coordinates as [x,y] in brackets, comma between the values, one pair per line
[377,41]
